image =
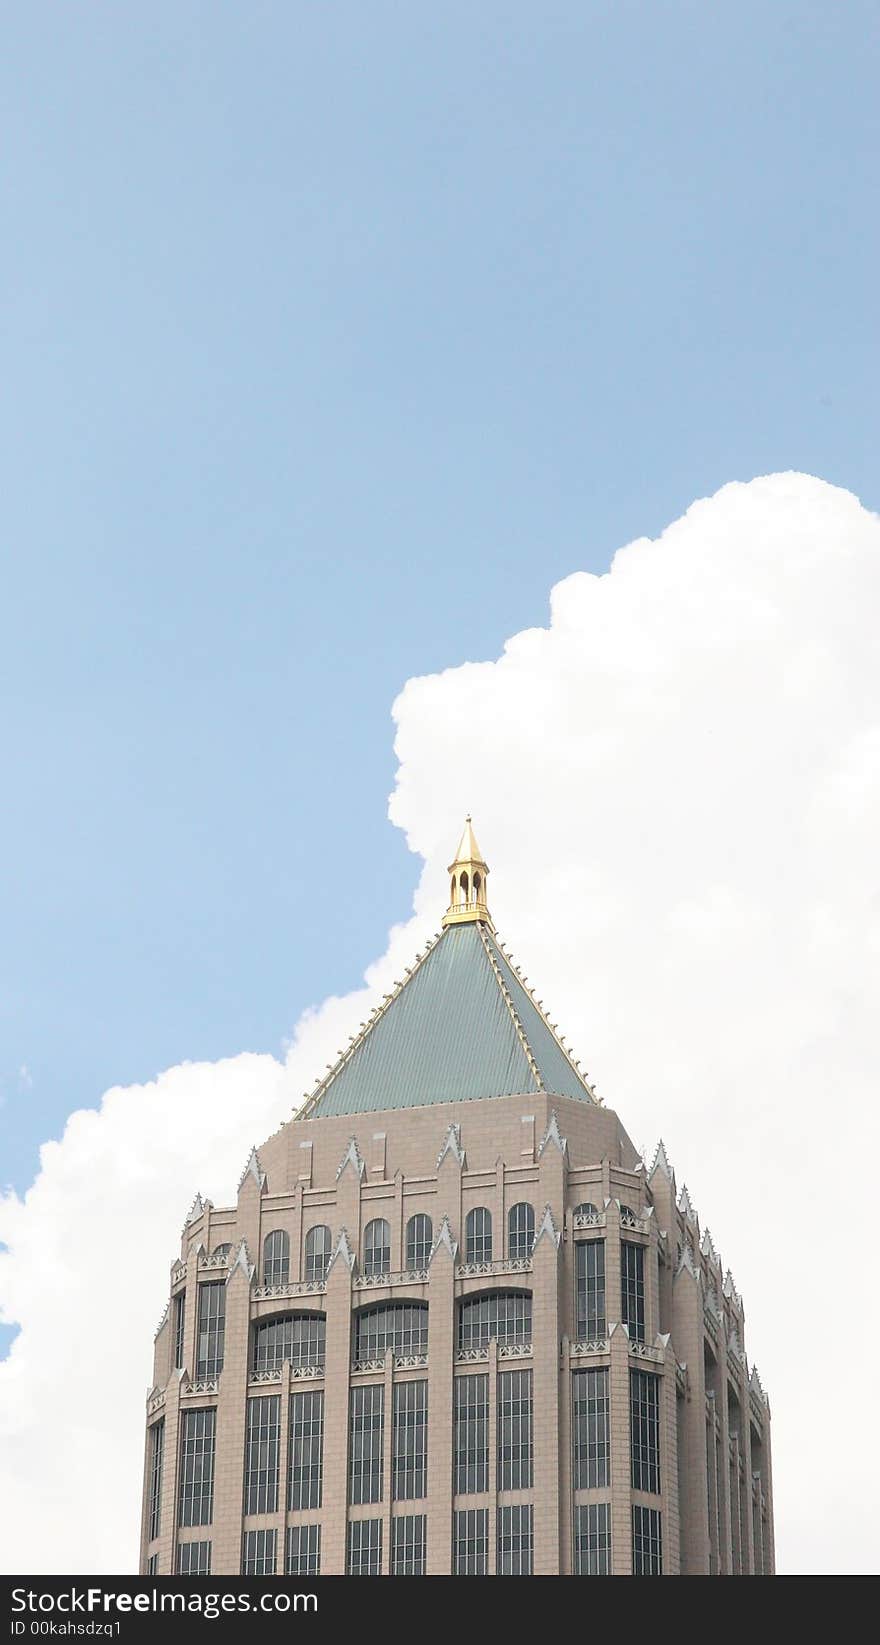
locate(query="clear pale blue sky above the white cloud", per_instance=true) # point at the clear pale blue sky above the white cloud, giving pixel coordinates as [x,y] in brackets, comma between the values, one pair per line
[331,338]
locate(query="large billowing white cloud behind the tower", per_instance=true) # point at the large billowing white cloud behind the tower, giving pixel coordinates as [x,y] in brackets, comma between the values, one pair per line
[679,789]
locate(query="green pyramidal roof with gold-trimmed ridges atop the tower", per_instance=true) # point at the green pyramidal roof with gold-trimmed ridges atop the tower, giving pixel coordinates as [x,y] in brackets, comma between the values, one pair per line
[460,1029]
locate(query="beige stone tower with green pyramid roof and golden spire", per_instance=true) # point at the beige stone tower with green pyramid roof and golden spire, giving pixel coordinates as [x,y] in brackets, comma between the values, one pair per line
[455,1323]
